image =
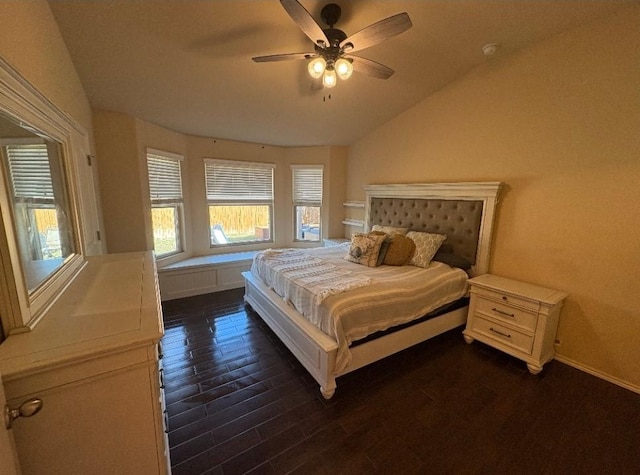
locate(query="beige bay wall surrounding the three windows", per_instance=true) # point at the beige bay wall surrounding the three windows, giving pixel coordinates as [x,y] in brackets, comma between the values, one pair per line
[121,144]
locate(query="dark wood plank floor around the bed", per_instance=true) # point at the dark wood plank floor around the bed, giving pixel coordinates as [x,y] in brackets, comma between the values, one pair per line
[239,402]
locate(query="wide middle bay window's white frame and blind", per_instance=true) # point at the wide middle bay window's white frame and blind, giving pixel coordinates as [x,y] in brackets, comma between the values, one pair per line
[262,193]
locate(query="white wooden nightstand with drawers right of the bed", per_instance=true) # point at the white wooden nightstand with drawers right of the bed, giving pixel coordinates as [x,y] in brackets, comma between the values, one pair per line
[518,318]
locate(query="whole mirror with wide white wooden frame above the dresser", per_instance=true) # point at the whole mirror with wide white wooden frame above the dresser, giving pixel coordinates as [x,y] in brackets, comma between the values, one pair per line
[42,227]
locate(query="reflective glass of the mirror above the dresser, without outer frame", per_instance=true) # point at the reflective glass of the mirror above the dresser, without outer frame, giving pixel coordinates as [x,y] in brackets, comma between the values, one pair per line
[36,188]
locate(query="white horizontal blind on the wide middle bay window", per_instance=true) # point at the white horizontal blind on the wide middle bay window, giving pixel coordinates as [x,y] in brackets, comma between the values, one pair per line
[229,181]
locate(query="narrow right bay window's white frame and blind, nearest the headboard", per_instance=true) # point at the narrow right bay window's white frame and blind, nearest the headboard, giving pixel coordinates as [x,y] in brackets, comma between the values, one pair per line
[306,198]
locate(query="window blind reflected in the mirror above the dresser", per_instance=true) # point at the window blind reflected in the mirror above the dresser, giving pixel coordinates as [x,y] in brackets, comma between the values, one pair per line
[30,171]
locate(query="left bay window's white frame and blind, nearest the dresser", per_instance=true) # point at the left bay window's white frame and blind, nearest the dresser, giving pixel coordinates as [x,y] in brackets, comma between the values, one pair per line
[170,195]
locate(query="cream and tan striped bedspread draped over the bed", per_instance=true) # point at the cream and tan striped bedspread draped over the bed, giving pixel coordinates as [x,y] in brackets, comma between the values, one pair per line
[350,301]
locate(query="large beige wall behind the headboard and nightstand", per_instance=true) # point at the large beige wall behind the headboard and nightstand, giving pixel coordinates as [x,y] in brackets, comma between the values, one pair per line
[560,125]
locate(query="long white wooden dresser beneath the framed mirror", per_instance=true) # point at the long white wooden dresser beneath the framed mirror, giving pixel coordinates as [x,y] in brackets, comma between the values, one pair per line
[94,362]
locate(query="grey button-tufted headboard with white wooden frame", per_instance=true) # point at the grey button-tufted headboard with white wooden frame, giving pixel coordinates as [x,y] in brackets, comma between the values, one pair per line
[463,211]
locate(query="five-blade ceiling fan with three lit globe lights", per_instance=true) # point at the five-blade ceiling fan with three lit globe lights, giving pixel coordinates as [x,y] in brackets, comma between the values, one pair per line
[333,58]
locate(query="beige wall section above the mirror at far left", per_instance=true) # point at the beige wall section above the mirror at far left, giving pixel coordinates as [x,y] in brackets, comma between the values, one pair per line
[31,42]
